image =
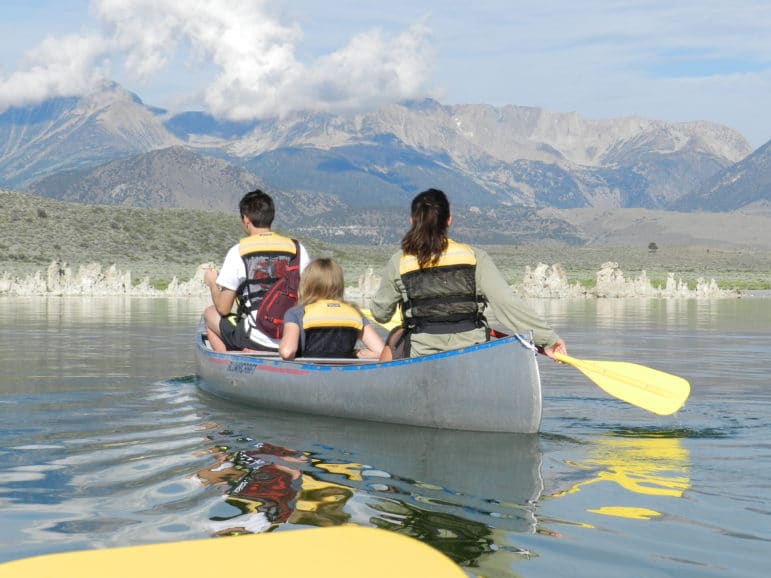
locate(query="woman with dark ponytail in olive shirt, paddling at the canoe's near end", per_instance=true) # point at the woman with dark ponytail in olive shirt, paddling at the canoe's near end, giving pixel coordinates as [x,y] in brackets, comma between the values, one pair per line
[443,288]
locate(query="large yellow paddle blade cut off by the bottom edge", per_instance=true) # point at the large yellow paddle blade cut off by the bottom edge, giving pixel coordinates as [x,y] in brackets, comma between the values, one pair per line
[340,552]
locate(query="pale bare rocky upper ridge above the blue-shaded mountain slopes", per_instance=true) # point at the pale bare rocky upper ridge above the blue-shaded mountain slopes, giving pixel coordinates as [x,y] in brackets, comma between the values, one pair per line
[507,134]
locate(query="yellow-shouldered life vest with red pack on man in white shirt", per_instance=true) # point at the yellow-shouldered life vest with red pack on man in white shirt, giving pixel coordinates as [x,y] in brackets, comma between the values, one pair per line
[268,259]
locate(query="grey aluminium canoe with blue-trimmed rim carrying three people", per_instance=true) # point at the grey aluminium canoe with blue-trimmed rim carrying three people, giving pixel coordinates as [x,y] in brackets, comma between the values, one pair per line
[493,386]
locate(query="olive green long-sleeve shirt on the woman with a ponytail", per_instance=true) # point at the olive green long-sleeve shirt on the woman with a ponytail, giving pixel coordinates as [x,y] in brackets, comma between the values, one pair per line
[507,308]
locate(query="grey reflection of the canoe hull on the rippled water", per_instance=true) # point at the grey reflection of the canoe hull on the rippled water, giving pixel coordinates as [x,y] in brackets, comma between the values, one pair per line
[457,474]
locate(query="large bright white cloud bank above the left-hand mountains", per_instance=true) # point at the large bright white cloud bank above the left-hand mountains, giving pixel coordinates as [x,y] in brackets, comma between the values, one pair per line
[253,52]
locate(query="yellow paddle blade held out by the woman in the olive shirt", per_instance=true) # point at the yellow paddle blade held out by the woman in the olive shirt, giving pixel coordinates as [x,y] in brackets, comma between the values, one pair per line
[656,391]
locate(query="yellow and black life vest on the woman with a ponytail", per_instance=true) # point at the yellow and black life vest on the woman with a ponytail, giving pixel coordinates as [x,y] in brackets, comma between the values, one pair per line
[442,297]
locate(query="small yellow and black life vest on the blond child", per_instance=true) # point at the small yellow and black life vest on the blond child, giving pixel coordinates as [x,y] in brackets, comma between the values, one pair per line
[331,329]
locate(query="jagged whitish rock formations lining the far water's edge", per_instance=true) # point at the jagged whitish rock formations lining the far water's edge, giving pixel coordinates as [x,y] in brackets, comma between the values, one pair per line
[542,281]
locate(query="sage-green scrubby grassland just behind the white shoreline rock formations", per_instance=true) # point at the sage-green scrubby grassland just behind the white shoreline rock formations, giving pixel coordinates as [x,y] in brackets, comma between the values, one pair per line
[164,243]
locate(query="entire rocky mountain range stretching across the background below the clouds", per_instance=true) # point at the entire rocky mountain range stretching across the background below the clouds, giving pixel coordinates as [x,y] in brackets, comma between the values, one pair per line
[359,171]
